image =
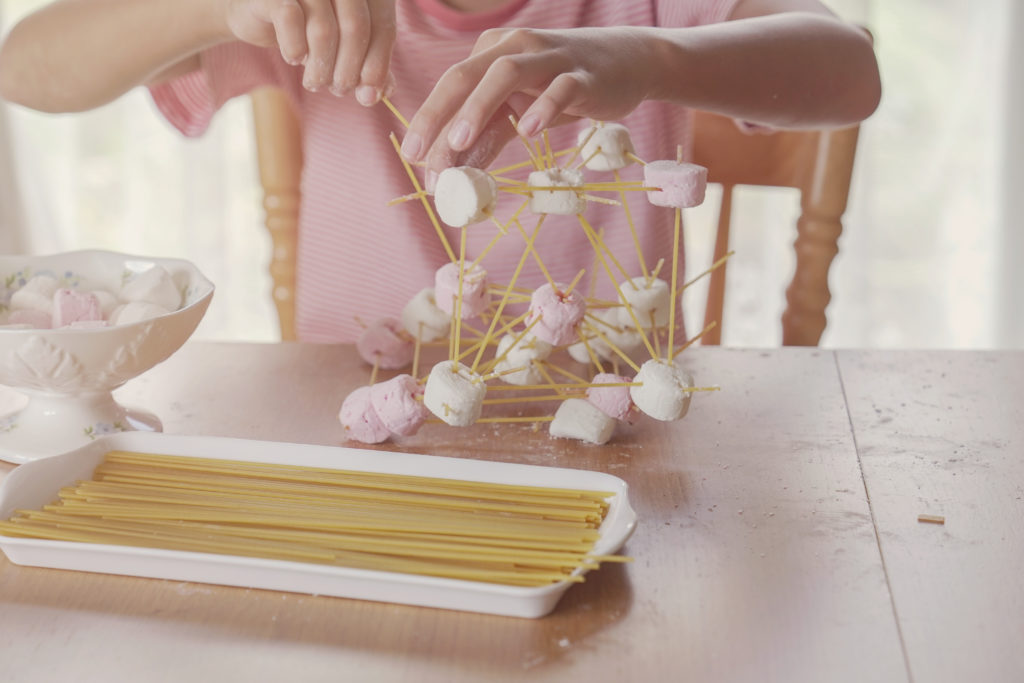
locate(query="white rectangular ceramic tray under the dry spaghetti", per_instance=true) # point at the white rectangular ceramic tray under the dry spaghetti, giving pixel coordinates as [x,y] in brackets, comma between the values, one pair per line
[36,484]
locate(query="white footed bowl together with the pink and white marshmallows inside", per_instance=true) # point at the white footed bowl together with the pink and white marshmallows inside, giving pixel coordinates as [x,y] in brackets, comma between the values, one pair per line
[76,326]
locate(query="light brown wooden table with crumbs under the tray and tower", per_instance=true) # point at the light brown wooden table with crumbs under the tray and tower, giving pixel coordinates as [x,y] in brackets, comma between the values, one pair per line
[779,538]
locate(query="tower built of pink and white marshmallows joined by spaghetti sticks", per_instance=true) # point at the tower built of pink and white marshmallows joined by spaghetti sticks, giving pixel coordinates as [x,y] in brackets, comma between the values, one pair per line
[628,345]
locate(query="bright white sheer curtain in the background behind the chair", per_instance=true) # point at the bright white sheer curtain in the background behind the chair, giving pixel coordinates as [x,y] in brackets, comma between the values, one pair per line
[929,259]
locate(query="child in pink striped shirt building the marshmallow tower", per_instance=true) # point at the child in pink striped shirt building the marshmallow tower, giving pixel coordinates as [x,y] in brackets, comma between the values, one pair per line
[773,63]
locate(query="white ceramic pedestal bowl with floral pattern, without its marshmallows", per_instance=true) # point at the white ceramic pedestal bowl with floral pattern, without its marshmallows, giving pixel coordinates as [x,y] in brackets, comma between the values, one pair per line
[62,379]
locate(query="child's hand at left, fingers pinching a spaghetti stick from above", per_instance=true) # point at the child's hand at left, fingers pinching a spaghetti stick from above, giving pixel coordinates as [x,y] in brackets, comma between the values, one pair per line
[345,45]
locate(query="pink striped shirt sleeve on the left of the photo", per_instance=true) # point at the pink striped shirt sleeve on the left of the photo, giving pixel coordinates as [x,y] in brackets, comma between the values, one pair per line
[227,71]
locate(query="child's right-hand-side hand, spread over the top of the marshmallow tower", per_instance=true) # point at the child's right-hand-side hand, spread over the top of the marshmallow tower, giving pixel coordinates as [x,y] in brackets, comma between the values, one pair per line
[544,77]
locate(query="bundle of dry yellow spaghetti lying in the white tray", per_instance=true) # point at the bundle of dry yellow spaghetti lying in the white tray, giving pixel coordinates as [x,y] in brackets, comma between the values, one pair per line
[492,533]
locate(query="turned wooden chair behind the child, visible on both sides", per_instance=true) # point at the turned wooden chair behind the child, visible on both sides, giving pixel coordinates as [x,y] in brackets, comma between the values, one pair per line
[820,164]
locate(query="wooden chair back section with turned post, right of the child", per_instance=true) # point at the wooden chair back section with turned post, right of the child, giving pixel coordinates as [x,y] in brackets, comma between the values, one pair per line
[820,164]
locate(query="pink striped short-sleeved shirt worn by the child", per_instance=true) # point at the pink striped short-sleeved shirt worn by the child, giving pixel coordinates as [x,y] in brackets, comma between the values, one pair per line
[359,258]
